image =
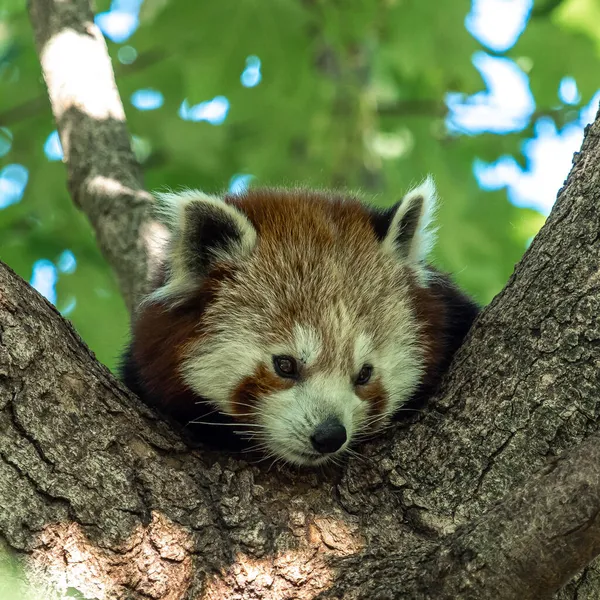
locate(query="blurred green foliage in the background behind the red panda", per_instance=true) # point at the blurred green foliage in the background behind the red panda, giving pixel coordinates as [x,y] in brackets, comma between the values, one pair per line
[340,82]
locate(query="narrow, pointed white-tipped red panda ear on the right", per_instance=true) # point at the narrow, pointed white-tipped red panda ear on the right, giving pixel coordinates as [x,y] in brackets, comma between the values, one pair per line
[404,230]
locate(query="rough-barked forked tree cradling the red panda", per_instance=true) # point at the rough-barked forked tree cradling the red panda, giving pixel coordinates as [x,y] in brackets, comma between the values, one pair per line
[99,495]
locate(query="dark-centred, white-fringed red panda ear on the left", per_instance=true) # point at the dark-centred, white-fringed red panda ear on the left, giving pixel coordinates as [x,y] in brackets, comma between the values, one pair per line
[204,231]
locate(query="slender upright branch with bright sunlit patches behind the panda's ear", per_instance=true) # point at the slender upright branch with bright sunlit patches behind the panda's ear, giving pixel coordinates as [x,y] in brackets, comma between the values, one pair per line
[104,177]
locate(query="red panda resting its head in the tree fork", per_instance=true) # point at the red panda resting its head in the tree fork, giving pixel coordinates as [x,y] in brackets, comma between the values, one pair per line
[303,319]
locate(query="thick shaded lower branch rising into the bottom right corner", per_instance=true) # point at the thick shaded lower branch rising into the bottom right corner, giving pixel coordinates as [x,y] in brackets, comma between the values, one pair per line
[527,547]
